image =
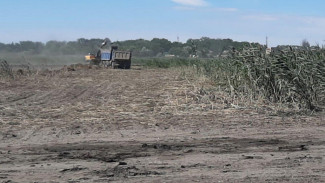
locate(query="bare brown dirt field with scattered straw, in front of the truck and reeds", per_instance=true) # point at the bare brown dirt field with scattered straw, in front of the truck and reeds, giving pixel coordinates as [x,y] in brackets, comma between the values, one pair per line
[140,125]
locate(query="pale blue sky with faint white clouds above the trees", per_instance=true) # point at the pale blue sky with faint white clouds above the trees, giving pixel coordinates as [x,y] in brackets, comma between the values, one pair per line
[282,21]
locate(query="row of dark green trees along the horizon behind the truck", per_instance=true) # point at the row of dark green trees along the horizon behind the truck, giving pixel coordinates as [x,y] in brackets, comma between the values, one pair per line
[204,47]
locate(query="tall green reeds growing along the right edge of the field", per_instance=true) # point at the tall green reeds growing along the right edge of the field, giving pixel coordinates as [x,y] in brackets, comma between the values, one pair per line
[294,77]
